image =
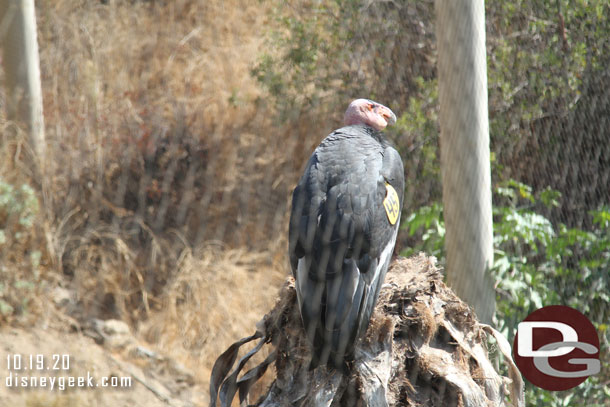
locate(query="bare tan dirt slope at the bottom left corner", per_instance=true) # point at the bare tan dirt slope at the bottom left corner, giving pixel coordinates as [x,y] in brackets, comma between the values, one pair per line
[155,379]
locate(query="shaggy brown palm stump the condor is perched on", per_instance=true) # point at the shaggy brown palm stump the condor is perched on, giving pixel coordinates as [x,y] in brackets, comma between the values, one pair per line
[424,347]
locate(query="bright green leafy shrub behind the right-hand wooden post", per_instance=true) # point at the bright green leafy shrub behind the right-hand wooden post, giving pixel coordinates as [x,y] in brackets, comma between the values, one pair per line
[536,264]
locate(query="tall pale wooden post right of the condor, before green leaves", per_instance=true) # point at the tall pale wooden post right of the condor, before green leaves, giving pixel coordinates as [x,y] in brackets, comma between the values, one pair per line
[465,166]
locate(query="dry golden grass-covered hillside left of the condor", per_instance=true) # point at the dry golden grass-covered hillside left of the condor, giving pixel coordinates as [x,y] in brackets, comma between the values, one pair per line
[145,210]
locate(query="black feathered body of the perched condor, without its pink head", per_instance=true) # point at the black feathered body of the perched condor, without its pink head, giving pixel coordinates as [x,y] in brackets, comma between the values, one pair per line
[341,238]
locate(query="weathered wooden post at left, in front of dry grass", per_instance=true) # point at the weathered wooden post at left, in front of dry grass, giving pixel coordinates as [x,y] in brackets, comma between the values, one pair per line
[22,68]
